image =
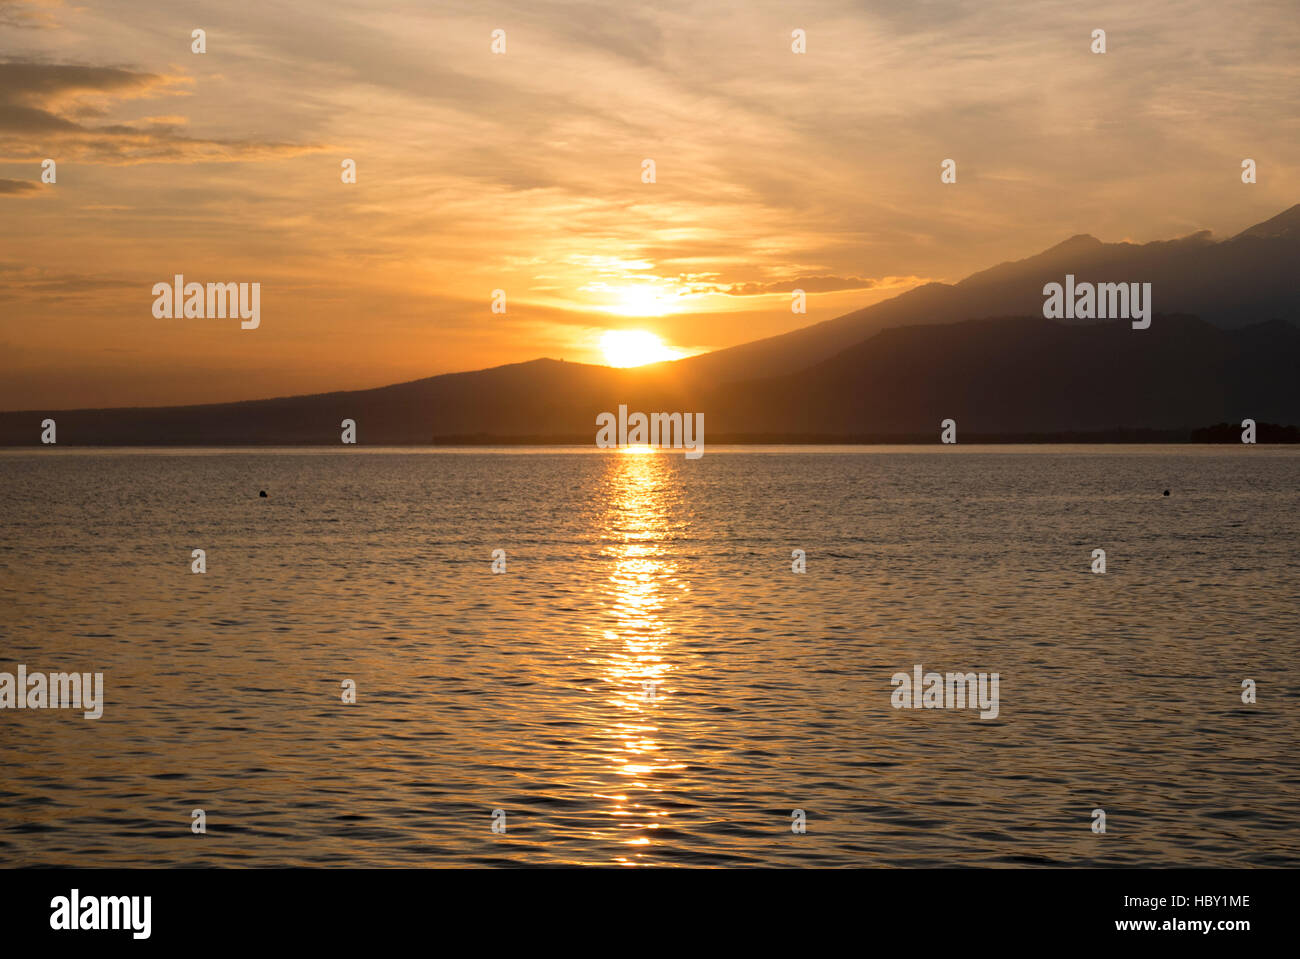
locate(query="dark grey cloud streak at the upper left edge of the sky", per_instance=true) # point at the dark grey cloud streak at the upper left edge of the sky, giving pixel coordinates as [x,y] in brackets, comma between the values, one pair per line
[49,103]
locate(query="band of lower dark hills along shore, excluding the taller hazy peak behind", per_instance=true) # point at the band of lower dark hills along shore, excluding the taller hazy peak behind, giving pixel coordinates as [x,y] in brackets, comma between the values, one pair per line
[995,377]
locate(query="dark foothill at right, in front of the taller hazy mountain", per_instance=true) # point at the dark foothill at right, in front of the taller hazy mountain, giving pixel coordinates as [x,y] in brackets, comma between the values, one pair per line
[1029,375]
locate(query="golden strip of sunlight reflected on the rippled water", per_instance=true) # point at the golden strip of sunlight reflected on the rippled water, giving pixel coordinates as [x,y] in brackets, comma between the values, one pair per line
[639,639]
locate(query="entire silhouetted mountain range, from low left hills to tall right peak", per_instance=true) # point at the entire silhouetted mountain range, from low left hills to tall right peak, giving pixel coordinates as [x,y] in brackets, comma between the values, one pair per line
[978,352]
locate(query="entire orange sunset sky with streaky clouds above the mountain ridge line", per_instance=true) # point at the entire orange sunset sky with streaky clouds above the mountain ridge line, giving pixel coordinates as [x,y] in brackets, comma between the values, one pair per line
[523,172]
